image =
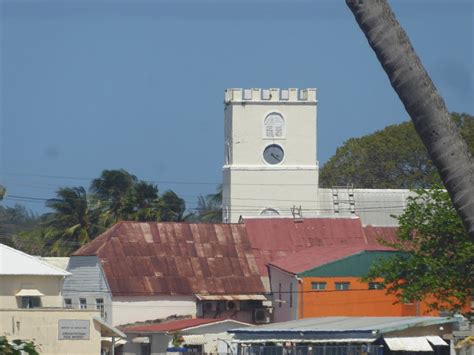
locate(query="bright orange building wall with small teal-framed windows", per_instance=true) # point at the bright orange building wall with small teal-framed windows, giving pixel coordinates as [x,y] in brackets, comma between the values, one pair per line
[358,301]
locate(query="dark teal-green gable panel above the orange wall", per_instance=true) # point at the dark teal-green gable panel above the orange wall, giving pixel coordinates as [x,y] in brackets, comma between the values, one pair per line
[355,265]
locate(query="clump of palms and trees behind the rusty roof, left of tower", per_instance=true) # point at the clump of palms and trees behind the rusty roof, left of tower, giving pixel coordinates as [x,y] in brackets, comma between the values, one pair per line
[77,217]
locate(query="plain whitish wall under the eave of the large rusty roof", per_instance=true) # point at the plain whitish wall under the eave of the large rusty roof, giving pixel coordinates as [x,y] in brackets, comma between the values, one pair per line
[133,309]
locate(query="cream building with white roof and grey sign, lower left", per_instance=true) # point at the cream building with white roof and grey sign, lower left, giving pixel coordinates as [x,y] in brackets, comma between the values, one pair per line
[31,308]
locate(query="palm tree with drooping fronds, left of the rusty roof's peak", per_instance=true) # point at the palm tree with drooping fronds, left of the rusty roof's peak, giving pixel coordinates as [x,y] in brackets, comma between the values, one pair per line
[72,223]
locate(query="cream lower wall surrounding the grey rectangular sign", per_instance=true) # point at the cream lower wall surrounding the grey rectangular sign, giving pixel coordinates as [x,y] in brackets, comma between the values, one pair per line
[41,325]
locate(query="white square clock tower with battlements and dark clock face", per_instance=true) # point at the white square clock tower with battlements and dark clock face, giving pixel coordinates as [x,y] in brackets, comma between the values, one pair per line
[270,153]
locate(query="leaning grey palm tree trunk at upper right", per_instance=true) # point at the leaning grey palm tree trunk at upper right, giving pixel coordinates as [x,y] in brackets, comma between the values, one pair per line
[427,109]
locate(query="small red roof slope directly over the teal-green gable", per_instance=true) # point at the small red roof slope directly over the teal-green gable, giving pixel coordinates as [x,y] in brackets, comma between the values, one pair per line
[320,255]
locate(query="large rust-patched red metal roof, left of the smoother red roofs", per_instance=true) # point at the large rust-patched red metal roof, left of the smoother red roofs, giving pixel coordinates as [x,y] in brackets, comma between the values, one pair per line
[148,258]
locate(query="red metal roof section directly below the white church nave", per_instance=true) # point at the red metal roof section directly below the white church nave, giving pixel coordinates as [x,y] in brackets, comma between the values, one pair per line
[276,238]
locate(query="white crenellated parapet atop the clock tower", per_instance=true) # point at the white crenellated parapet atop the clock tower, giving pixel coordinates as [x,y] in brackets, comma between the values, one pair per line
[292,95]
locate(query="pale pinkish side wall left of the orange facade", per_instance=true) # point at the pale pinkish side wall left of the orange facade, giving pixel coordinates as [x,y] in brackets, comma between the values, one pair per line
[280,280]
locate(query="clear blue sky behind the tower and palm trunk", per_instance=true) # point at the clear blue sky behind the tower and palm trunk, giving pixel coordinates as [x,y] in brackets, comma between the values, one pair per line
[92,85]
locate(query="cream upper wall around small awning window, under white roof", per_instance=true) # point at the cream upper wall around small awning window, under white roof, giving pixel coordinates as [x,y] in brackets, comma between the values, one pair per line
[50,286]
